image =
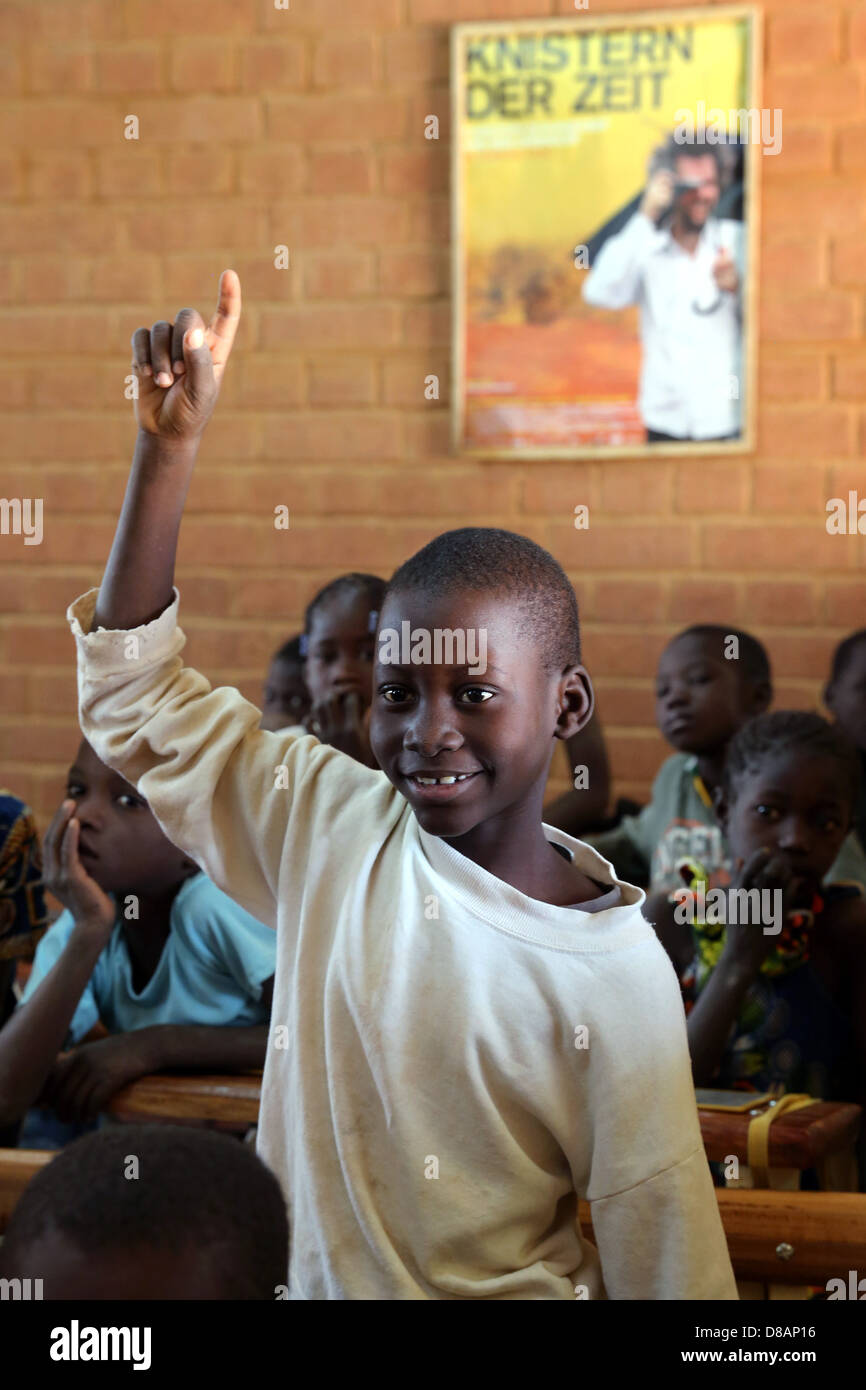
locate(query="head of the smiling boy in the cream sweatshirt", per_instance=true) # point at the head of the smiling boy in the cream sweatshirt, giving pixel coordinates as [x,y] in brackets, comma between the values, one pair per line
[468,746]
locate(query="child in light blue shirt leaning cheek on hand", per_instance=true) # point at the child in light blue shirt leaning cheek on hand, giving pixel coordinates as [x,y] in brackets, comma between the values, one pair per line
[174,971]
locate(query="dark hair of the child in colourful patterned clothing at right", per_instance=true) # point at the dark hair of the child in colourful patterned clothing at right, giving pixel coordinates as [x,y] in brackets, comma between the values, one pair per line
[790,730]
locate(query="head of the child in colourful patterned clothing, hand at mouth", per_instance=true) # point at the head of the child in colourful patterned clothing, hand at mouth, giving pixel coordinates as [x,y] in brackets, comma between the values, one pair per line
[790,786]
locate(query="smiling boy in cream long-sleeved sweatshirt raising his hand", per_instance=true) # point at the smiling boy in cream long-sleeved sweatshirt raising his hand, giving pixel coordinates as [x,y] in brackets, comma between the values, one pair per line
[473,1024]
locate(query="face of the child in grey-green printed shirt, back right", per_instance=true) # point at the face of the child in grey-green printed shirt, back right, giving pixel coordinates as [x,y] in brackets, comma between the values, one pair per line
[701,697]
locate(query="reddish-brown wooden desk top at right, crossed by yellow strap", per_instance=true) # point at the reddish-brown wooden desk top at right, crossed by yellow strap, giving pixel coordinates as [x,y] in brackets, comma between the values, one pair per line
[799,1139]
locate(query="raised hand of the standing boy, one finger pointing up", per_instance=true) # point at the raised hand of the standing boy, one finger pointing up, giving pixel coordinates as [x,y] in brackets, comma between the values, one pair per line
[180,366]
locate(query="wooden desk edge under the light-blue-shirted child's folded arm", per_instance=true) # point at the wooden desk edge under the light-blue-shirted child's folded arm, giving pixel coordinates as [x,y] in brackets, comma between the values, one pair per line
[222,1103]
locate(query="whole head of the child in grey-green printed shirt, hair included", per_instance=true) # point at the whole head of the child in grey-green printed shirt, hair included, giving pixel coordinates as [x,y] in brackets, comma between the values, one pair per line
[711,680]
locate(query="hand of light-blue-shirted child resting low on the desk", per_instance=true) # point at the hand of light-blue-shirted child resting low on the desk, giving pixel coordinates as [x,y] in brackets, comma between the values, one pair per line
[83,1082]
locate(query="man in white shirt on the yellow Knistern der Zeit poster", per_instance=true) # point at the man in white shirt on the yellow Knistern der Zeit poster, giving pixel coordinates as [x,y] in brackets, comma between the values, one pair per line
[683,268]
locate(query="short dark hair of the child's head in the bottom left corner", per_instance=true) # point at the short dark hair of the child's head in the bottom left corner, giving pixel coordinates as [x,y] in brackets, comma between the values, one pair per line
[194,1189]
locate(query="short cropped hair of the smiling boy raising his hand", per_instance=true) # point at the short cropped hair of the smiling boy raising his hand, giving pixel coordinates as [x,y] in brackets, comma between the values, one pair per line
[489,561]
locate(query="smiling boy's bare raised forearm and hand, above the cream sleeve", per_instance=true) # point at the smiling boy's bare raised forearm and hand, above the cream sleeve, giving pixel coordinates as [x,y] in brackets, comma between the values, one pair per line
[179,370]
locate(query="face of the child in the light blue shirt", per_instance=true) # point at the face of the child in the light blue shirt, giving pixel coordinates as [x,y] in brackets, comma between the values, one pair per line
[120,842]
